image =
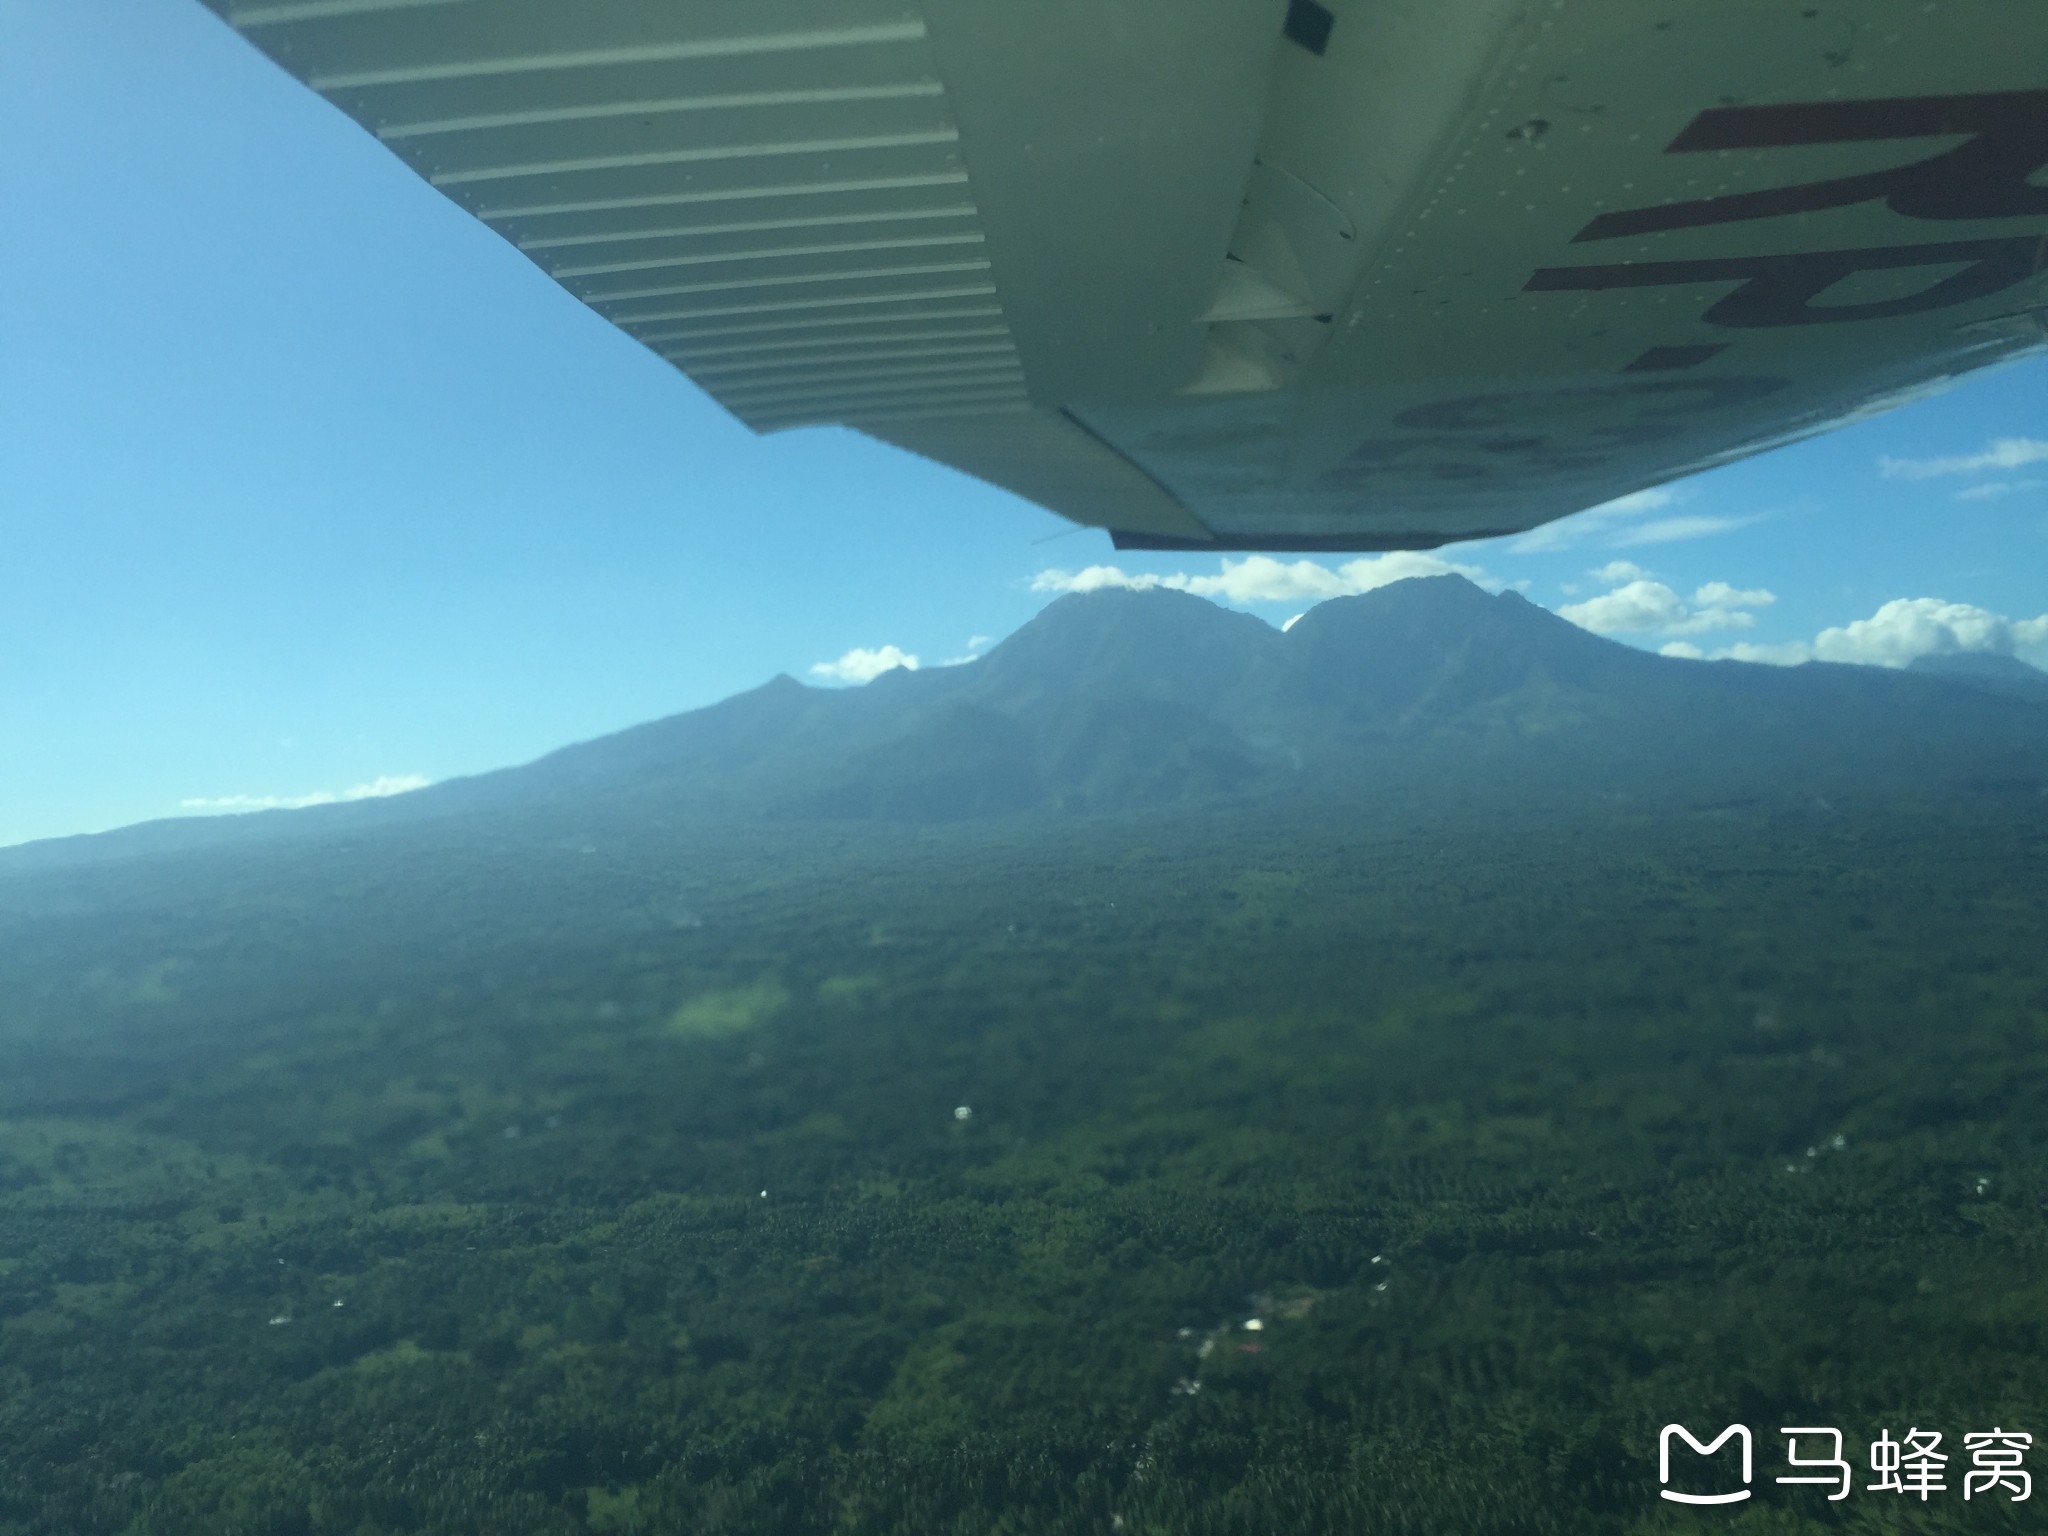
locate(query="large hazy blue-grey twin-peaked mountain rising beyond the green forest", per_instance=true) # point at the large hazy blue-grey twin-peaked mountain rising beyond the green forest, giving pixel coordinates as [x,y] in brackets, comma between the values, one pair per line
[1146,701]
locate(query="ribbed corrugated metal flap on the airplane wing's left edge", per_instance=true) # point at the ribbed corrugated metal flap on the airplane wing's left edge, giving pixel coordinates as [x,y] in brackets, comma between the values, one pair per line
[775,206]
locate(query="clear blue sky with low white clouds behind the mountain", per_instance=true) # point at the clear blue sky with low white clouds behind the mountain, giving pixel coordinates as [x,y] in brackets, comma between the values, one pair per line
[310,484]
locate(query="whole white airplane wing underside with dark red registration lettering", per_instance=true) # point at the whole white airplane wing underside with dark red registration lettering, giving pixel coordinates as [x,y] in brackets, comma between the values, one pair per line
[1250,273]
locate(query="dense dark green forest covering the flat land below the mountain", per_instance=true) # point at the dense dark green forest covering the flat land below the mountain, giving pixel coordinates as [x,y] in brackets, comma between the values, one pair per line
[628,1191]
